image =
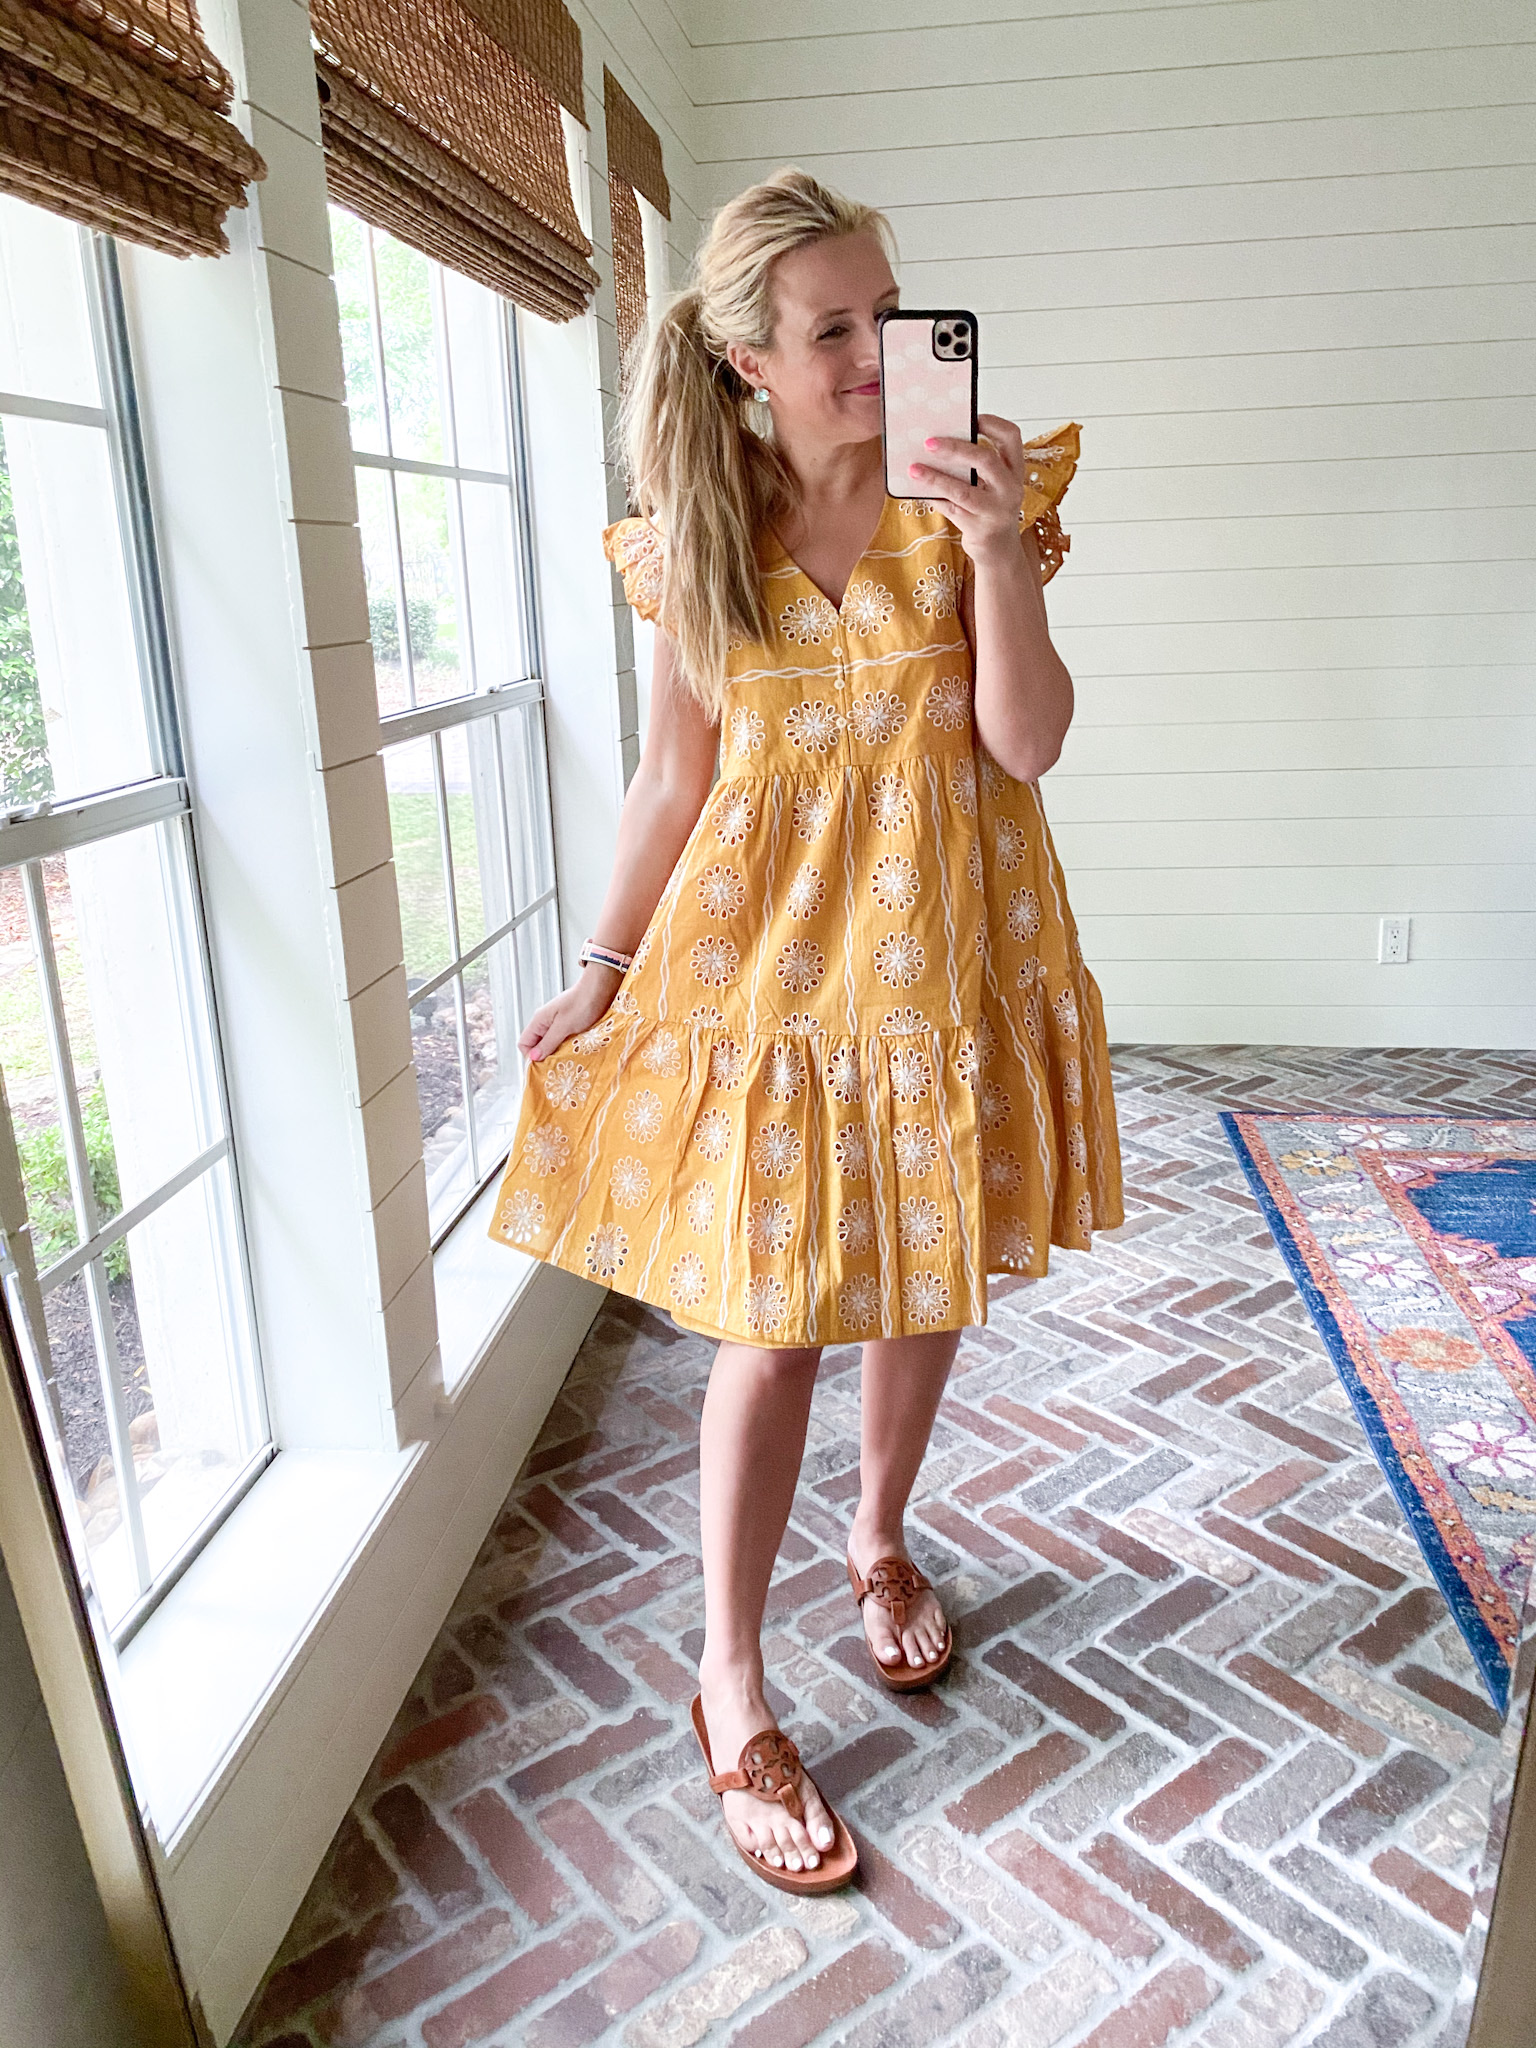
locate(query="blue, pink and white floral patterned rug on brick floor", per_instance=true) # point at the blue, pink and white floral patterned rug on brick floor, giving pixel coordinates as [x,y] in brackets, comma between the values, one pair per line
[1414,1246]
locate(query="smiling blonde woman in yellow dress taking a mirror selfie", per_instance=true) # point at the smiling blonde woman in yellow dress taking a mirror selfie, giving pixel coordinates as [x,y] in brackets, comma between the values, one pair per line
[843,1058]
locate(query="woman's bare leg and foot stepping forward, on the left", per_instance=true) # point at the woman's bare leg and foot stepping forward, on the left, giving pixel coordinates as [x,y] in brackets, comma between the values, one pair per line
[751,1447]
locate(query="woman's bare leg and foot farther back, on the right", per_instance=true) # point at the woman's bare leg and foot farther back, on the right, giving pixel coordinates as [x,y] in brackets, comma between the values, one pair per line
[900,1392]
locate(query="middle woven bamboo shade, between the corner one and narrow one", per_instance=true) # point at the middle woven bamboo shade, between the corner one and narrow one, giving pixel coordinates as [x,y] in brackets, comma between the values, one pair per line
[439,132]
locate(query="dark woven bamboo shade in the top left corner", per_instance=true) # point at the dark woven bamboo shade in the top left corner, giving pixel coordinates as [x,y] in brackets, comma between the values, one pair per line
[114,114]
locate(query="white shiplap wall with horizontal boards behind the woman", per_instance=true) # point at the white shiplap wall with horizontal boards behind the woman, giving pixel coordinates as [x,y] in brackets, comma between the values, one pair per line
[1279,261]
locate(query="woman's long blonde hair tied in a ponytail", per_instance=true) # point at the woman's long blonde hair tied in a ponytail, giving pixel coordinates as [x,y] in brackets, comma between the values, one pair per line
[697,450]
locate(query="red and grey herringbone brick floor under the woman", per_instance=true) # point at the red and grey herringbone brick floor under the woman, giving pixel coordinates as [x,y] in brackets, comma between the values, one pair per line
[1211,1768]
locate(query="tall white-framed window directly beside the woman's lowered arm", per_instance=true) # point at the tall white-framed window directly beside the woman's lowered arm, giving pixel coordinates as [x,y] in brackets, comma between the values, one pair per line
[437,439]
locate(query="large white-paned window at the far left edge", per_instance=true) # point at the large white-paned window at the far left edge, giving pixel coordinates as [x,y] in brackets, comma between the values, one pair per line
[132,1295]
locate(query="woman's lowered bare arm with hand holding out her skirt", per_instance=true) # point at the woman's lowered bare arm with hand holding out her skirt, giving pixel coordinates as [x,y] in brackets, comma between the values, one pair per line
[660,810]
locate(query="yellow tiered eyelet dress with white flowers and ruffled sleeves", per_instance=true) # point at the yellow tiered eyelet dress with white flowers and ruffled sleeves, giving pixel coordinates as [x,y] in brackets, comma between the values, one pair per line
[859,1062]
